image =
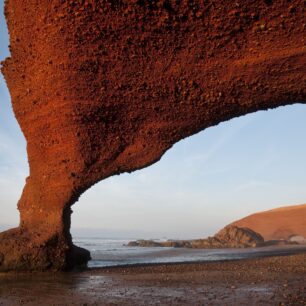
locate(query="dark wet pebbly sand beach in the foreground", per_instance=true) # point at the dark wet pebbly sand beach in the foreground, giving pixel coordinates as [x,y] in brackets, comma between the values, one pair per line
[278,280]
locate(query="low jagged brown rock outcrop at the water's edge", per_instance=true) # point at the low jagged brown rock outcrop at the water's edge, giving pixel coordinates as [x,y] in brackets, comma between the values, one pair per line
[229,237]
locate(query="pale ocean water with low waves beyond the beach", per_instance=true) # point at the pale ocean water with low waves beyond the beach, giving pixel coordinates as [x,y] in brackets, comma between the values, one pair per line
[114,252]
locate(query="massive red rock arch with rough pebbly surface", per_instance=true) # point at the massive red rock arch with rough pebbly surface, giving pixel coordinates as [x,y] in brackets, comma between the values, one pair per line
[104,87]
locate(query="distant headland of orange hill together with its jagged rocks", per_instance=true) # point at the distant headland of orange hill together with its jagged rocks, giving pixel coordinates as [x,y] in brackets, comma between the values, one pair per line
[280,226]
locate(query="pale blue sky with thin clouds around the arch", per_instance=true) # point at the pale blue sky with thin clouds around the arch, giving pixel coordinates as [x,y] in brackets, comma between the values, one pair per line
[245,165]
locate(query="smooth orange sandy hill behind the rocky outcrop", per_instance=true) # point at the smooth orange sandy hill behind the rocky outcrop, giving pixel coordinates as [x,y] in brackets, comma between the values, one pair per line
[279,223]
